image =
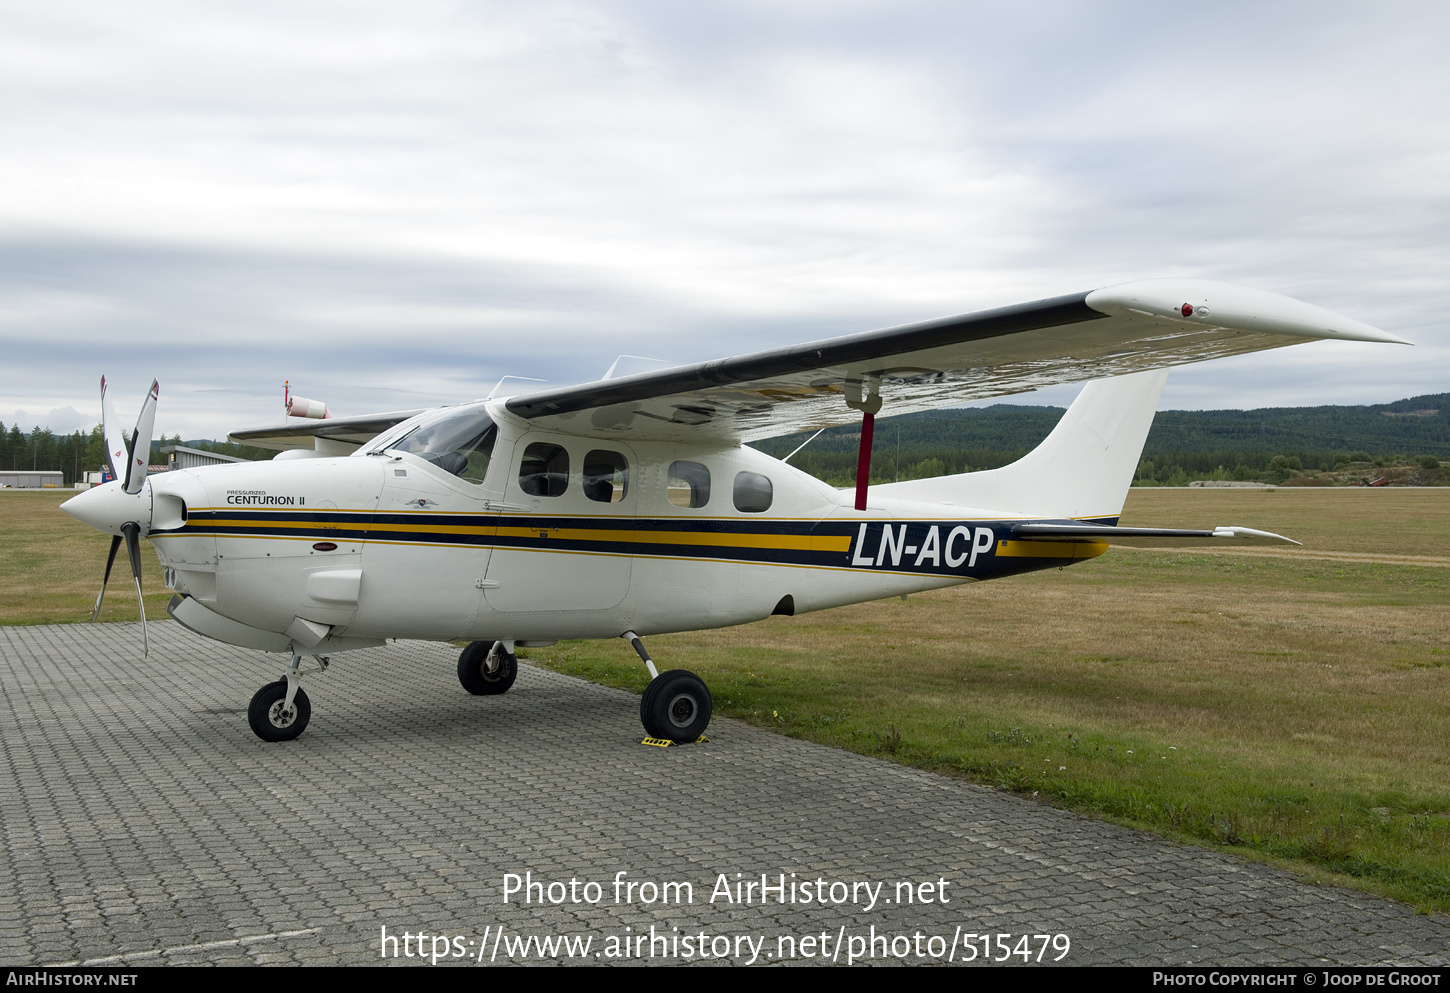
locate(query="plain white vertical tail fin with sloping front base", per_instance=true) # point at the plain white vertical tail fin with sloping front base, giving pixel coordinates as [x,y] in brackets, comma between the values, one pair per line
[1081,470]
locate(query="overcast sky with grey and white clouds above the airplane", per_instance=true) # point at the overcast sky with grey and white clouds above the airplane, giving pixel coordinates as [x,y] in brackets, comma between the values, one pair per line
[395,205]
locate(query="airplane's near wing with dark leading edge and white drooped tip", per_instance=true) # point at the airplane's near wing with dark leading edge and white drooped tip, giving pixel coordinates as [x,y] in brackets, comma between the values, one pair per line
[1114,331]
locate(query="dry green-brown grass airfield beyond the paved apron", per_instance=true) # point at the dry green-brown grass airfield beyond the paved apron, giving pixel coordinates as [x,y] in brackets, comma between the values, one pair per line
[1288,705]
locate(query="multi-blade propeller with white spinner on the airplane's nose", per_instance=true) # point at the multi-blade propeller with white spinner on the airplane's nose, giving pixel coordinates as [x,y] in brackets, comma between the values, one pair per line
[128,462]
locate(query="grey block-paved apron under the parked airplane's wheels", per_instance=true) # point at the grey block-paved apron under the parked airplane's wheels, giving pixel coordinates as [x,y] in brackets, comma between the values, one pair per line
[146,824]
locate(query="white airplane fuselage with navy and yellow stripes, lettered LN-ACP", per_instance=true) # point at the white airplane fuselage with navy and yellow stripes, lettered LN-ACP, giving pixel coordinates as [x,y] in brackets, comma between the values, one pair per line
[340,553]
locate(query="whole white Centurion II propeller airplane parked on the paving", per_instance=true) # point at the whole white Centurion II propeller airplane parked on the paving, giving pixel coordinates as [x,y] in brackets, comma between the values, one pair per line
[636,507]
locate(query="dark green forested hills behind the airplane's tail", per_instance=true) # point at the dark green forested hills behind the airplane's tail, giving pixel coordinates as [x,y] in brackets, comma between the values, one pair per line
[974,439]
